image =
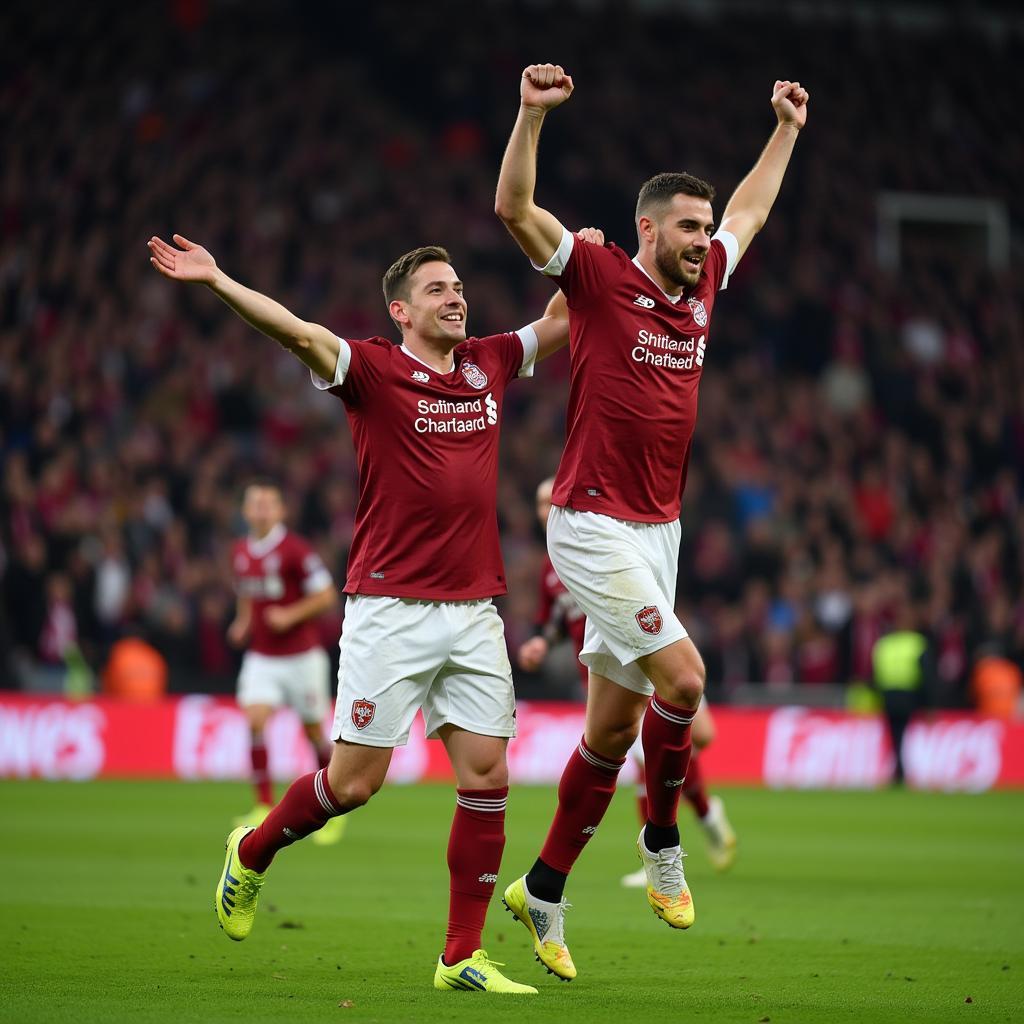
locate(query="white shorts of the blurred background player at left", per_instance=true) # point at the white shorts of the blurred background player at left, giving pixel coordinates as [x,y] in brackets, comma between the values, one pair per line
[301,681]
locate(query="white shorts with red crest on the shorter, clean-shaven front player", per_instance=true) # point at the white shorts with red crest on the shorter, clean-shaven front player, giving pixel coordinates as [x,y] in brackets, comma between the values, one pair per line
[401,655]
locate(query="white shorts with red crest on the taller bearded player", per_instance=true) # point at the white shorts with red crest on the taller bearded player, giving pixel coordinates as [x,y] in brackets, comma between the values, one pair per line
[623,576]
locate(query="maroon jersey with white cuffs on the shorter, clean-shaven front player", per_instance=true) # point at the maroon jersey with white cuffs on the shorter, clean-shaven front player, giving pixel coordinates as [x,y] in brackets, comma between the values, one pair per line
[426,443]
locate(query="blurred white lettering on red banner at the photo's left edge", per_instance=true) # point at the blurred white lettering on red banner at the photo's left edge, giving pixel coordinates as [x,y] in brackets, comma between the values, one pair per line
[53,741]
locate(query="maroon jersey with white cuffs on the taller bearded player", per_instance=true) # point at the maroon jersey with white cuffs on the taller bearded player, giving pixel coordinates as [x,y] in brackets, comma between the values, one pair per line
[636,363]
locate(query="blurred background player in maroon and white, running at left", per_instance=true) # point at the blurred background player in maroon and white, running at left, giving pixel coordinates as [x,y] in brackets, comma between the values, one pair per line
[282,586]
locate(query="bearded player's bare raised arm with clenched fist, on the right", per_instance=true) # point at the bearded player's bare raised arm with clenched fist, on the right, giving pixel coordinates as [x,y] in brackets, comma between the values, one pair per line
[750,205]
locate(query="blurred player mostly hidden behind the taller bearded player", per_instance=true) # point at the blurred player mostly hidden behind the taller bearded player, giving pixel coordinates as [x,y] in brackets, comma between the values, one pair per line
[559,616]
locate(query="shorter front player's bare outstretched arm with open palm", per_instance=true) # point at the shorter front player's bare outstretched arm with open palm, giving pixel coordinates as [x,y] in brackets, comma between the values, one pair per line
[315,346]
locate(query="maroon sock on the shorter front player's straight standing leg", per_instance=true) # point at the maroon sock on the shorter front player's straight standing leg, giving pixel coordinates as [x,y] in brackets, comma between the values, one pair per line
[476,847]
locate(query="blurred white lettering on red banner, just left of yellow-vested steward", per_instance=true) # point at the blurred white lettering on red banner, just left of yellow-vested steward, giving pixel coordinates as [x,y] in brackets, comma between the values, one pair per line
[809,751]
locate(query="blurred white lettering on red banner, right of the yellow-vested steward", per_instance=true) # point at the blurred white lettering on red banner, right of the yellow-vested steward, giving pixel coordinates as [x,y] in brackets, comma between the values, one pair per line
[958,755]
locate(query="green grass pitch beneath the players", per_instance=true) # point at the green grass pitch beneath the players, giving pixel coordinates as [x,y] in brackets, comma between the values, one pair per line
[890,907]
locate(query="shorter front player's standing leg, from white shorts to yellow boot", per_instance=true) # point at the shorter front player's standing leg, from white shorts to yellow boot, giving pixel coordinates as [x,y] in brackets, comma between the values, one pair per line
[472,709]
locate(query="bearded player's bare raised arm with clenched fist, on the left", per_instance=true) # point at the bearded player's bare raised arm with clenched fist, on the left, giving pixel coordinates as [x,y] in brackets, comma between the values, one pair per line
[542,89]
